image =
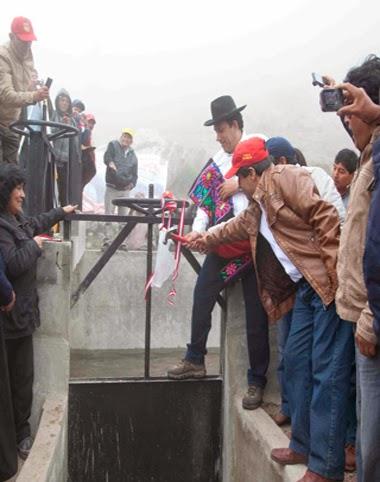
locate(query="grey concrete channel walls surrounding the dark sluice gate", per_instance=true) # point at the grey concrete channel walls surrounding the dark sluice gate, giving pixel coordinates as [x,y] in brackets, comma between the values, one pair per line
[107,318]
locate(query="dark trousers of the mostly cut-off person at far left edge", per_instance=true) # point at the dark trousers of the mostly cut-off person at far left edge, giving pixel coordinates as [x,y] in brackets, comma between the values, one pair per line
[8,448]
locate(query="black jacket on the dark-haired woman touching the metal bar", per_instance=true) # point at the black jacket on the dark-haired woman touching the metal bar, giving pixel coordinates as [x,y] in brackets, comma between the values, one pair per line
[20,253]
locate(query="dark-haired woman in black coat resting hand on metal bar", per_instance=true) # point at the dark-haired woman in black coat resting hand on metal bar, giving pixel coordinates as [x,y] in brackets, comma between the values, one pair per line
[21,246]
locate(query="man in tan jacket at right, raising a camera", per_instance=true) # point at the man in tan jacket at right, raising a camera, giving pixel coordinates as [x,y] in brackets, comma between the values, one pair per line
[352,297]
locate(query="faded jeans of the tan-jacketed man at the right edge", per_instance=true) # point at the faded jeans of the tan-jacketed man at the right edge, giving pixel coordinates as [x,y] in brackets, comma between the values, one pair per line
[368,411]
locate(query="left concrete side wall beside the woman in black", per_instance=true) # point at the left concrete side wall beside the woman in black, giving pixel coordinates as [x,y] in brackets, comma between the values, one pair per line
[48,459]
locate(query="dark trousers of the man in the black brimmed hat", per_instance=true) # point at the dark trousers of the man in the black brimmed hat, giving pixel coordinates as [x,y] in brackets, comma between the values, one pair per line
[208,286]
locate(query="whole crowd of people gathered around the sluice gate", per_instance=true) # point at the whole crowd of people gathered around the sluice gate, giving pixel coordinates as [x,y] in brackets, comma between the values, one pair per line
[304,244]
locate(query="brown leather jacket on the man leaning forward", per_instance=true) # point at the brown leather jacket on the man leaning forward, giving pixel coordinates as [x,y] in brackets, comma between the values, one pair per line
[304,226]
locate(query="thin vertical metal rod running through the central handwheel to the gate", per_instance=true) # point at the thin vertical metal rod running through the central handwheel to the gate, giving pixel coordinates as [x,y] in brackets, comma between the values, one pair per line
[148,306]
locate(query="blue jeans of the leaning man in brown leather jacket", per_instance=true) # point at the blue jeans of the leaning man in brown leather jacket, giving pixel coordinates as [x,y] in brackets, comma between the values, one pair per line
[318,360]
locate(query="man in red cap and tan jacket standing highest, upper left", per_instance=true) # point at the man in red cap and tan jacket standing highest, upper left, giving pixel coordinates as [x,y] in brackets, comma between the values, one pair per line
[17,87]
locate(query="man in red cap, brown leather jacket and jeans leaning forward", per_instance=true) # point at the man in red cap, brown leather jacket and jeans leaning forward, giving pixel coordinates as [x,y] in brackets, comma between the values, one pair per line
[294,237]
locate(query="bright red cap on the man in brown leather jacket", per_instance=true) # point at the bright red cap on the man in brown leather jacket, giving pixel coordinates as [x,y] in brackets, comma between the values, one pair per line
[247,153]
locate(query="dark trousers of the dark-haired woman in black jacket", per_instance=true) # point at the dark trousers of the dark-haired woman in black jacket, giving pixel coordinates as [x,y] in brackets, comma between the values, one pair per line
[21,373]
